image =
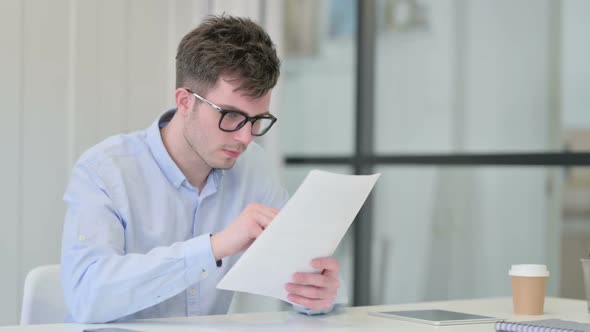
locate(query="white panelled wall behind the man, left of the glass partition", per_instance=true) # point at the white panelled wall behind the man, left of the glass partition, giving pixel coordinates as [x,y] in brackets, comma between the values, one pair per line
[73,73]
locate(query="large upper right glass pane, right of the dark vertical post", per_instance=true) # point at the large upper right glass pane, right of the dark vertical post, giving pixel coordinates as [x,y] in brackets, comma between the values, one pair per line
[450,78]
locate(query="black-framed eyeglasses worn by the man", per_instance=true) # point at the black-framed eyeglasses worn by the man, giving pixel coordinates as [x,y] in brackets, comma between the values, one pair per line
[232,120]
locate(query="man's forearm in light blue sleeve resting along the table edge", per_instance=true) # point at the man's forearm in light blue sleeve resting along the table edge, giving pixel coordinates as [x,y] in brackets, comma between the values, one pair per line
[101,287]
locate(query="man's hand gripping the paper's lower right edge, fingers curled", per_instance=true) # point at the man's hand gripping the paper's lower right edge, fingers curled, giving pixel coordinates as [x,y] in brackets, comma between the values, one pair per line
[316,291]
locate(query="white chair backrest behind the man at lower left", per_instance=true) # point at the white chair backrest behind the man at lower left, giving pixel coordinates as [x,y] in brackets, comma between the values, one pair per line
[43,299]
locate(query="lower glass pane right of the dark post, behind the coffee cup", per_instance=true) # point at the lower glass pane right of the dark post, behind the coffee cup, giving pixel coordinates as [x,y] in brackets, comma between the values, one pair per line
[443,232]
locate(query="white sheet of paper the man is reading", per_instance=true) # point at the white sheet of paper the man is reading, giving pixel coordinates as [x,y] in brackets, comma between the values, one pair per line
[309,226]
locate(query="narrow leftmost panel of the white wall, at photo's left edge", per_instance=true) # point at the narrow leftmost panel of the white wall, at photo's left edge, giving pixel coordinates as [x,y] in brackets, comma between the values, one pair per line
[11,142]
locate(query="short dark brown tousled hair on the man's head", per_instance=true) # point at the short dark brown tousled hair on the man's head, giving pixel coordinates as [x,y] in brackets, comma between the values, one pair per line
[229,46]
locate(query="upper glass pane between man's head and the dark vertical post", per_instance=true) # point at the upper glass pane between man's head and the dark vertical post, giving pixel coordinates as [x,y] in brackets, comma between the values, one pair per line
[317,86]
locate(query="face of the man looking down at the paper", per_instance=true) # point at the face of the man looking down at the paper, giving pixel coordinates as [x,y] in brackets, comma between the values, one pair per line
[217,148]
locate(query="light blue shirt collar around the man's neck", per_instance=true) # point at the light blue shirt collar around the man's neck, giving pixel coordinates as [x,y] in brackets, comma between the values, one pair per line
[163,159]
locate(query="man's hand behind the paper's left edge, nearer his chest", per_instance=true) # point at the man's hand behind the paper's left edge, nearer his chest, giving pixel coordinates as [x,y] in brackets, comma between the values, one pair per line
[240,234]
